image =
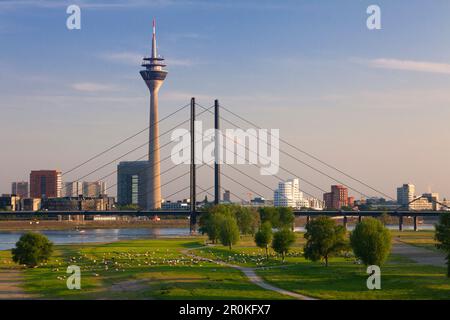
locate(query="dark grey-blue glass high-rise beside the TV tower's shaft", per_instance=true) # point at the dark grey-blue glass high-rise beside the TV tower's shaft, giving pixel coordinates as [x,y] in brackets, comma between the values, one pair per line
[132,182]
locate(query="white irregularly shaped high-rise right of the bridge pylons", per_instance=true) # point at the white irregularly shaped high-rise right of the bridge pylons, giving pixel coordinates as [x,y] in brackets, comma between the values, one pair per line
[288,194]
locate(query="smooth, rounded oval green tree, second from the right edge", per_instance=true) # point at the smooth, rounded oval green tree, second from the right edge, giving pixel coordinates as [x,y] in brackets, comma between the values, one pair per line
[371,242]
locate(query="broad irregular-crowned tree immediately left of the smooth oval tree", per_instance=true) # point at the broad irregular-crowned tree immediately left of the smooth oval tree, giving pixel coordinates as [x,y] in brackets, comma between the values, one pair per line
[324,239]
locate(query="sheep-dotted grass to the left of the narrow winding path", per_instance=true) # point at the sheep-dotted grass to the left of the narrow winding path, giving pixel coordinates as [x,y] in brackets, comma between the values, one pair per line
[146,269]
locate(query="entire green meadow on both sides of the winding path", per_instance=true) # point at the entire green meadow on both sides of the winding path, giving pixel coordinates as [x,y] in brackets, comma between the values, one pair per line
[157,269]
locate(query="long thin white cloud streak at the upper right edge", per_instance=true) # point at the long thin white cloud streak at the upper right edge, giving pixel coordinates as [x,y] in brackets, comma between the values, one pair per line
[410,65]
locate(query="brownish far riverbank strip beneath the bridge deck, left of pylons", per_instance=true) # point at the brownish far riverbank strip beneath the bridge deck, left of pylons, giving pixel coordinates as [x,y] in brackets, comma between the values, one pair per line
[39,225]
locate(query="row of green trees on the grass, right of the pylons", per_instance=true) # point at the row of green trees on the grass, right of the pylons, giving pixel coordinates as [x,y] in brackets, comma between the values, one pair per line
[370,241]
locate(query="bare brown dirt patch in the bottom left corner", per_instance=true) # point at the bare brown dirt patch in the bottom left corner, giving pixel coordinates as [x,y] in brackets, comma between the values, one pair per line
[10,285]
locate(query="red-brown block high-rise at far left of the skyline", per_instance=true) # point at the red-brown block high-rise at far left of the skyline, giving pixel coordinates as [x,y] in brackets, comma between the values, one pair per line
[45,183]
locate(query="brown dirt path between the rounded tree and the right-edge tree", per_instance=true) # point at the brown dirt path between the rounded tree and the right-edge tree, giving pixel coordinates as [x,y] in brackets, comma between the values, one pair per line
[418,255]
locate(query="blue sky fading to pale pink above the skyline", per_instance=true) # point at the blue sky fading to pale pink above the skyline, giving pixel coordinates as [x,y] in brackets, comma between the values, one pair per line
[373,103]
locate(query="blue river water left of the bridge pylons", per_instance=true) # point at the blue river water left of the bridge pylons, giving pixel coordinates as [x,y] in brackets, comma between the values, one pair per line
[8,239]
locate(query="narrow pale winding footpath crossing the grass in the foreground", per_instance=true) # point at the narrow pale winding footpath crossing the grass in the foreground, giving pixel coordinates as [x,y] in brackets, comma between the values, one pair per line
[252,276]
